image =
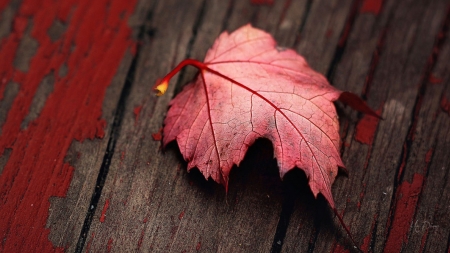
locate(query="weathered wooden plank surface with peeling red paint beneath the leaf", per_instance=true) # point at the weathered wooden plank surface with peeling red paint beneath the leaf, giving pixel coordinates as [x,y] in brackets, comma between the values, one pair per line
[81,172]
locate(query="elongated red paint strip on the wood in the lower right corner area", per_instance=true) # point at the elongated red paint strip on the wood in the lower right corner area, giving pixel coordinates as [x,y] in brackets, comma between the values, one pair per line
[405,206]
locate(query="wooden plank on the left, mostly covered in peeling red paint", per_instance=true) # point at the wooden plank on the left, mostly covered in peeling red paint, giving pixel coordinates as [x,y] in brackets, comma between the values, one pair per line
[55,72]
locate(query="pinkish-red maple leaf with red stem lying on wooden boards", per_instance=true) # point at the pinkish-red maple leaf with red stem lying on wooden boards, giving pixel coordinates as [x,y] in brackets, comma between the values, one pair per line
[248,88]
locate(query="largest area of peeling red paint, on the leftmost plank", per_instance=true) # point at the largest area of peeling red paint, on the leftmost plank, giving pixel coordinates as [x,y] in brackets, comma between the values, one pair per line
[36,169]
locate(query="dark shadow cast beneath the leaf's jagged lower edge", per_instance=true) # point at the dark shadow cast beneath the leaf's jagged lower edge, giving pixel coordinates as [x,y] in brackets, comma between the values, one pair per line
[256,180]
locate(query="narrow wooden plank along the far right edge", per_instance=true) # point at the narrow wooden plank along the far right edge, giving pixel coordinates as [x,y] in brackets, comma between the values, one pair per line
[428,158]
